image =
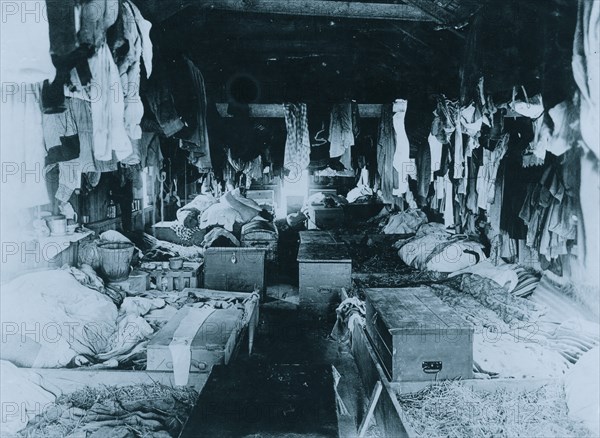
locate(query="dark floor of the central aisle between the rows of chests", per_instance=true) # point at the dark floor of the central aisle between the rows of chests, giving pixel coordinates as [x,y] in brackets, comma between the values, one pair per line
[285,337]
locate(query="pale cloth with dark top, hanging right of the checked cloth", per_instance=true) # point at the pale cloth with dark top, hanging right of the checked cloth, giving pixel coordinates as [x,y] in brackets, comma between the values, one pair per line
[341,134]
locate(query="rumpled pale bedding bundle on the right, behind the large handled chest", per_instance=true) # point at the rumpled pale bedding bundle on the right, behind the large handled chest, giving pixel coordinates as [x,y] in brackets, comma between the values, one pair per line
[433,248]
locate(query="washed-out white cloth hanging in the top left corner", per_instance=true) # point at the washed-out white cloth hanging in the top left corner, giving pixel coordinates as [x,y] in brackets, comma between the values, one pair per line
[24,48]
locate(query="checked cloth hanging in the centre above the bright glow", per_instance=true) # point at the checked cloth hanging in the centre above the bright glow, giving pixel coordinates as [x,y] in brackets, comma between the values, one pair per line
[297,146]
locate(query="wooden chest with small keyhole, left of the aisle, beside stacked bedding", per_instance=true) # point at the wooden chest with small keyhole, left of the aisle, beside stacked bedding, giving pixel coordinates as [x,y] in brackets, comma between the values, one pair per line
[235,269]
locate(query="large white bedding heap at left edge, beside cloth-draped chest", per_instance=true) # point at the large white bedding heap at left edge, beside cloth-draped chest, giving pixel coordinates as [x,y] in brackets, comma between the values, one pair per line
[68,323]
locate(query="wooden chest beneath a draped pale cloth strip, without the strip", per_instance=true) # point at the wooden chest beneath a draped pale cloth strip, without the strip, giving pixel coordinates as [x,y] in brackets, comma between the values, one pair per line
[214,343]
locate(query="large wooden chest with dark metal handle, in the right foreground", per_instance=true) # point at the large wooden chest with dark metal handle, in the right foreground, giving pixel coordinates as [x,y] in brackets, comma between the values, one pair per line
[416,336]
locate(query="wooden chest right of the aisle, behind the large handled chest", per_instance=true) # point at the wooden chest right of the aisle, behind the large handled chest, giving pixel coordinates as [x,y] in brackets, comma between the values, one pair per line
[324,269]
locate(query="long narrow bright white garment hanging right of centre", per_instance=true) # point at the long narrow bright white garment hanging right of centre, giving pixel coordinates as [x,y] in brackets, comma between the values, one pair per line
[403,165]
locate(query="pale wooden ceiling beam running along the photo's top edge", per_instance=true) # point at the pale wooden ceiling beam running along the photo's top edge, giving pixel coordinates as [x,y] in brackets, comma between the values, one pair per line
[323,8]
